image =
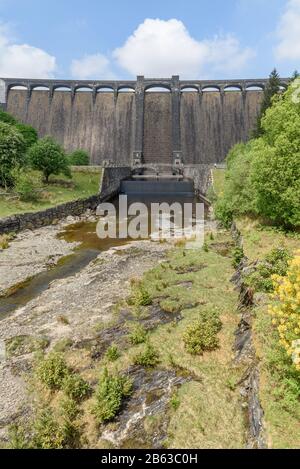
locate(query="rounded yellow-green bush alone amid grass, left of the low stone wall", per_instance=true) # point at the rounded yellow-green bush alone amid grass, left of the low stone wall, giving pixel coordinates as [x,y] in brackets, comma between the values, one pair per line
[202,335]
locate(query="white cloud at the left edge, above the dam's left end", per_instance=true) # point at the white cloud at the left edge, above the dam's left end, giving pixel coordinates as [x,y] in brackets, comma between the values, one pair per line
[22,60]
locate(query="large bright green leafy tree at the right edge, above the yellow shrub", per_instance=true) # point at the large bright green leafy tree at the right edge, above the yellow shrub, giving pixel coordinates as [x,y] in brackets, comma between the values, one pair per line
[275,171]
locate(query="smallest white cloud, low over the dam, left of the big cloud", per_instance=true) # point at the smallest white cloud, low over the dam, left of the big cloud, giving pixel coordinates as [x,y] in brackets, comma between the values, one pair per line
[92,67]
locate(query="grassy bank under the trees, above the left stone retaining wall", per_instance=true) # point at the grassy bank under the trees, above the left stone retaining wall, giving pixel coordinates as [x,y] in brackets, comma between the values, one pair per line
[59,191]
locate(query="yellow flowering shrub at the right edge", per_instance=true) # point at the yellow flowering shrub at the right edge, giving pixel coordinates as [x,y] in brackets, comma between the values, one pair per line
[286,309]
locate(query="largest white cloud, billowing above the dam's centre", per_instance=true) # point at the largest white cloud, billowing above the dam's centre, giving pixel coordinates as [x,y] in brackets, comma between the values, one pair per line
[163,48]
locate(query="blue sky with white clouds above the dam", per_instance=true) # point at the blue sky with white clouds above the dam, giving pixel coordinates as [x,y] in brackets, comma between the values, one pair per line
[92,39]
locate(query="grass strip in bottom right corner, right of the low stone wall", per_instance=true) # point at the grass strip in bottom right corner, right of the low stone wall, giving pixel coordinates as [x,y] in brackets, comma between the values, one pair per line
[278,381]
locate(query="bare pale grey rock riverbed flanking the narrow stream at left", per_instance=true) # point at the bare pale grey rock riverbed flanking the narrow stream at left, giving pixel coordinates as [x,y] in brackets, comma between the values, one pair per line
[70,308]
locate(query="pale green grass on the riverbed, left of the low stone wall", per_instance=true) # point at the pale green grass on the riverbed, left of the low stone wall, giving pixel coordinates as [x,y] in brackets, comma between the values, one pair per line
[206,412]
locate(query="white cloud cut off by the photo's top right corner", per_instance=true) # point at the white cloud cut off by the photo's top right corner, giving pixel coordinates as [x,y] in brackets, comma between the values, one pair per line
[288,33]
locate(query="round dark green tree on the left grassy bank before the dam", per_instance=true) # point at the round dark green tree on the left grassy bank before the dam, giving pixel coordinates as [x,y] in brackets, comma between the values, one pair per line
[49,157]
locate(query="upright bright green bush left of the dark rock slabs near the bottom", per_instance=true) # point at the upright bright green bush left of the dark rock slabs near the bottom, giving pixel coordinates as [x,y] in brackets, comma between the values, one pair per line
[110,394]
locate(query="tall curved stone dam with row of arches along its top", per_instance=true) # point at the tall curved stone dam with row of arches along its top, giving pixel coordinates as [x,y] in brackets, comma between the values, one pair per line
[146,122]
